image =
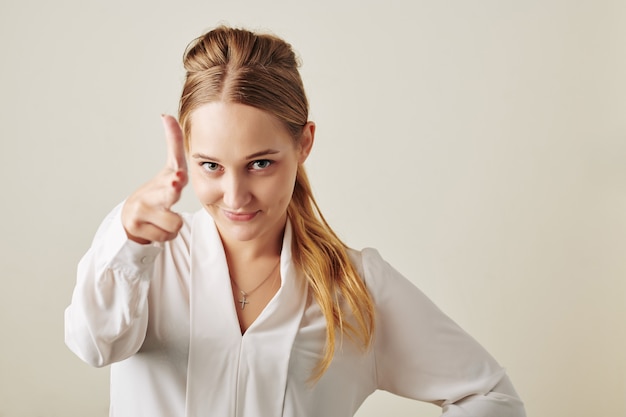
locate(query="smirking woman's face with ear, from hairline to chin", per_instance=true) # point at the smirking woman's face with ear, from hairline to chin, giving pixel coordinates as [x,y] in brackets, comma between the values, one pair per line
[243,165]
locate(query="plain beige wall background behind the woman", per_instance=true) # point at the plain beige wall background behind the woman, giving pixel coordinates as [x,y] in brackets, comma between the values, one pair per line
[479,145]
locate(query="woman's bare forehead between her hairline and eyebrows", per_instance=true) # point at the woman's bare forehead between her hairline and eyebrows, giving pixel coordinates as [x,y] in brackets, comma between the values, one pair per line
[235,129]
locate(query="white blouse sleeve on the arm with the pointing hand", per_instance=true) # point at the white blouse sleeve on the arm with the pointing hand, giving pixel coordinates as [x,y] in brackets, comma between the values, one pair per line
[107,319]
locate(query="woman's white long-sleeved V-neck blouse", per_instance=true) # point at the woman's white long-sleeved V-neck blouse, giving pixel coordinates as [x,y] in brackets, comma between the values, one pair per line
[163,317]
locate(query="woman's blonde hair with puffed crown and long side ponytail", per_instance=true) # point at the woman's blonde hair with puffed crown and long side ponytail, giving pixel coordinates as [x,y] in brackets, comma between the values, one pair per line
[259,70]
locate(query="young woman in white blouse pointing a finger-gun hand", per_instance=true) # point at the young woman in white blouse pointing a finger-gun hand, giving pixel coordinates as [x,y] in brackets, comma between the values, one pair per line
[252,306]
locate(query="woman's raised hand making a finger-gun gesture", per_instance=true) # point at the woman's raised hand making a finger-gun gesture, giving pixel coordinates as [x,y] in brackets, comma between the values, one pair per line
[146,214]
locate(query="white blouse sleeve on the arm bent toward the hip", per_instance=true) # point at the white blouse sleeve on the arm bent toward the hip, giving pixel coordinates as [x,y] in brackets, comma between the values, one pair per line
[422,354]
